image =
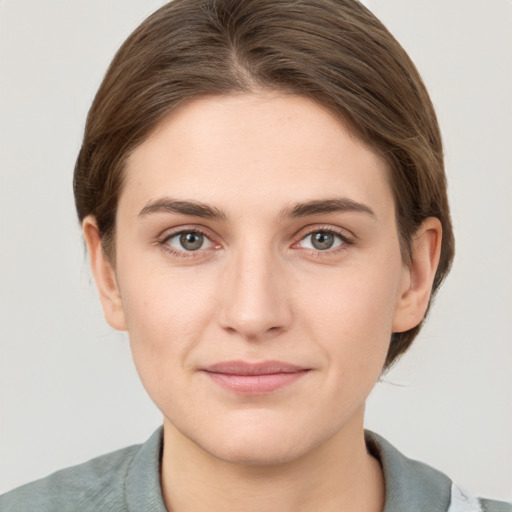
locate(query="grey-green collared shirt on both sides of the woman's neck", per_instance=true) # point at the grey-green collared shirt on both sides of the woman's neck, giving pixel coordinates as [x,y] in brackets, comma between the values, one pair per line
[128,480]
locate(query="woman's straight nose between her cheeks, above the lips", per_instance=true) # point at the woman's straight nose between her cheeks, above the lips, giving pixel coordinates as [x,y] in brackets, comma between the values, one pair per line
[255,295]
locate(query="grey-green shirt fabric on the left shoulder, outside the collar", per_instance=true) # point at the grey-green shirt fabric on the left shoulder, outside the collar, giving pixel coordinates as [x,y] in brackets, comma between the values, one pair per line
[94,485]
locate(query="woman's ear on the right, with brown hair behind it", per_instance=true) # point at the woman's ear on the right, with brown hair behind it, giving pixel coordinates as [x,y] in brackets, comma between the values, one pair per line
[418,276]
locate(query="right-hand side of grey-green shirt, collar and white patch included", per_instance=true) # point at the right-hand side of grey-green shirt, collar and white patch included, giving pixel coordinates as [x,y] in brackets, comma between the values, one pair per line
[413,485]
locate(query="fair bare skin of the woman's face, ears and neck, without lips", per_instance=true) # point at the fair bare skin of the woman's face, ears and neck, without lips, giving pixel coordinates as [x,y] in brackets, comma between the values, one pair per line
[259,289]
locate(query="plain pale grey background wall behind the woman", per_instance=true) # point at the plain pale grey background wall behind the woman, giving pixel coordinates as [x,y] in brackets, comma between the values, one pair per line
[68,389]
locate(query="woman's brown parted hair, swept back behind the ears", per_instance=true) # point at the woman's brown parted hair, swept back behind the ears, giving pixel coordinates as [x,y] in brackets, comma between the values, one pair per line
[335,52]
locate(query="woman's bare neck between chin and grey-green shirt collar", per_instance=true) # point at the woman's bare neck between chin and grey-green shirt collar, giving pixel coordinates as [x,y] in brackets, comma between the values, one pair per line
[338,475]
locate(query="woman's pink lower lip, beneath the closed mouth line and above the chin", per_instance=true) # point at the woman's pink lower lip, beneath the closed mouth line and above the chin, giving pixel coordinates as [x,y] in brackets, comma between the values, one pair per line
[255,384]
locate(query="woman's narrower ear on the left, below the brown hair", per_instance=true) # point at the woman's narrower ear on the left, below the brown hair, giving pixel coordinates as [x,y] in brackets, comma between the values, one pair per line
[104,275]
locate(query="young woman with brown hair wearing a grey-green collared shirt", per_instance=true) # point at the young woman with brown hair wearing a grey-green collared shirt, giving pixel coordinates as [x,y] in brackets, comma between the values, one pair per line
[262,193]
